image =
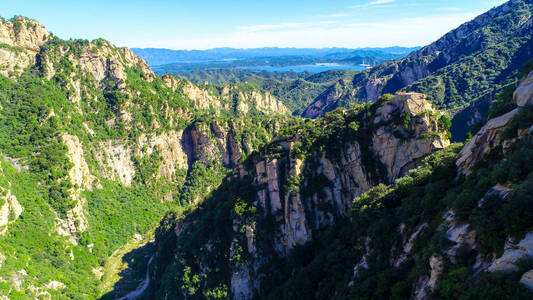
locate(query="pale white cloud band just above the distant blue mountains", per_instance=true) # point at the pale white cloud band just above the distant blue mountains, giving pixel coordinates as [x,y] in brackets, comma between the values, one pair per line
[403,32]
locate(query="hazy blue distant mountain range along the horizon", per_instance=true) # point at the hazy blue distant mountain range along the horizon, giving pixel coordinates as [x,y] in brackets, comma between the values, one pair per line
[156,57]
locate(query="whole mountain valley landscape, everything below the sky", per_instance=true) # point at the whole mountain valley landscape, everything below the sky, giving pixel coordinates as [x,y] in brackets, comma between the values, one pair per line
[186,174]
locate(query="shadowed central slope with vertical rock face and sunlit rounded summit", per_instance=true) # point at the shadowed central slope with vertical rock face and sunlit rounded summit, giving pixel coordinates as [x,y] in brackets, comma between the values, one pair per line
[281,198]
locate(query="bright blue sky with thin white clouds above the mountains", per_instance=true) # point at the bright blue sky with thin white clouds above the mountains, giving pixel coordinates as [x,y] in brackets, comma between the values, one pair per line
[204,24]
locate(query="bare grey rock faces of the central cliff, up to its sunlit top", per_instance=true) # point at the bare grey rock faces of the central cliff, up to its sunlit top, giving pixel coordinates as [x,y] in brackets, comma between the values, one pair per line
[330,181]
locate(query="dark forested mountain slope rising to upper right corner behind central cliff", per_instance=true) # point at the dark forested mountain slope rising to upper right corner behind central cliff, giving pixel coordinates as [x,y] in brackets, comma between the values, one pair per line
[477,59]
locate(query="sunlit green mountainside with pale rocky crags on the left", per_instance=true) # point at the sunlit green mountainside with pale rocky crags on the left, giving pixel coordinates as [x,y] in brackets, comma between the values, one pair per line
[96,149]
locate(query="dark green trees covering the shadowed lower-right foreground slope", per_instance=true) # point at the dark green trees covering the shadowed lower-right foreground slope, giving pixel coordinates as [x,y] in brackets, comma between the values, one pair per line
[421,197]
